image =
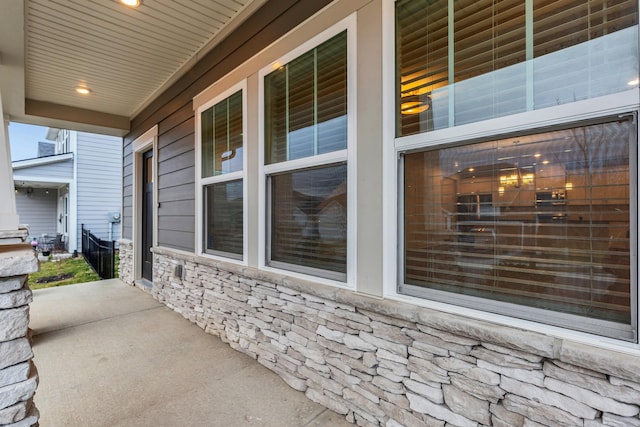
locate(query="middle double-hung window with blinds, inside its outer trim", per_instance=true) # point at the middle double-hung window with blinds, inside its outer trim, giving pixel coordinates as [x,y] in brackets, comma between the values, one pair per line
[306,142]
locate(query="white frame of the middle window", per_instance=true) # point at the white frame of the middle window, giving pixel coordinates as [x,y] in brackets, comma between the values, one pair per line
[349,155]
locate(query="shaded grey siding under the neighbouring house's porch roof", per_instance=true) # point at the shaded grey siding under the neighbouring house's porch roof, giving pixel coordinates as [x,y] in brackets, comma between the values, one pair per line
[37,208]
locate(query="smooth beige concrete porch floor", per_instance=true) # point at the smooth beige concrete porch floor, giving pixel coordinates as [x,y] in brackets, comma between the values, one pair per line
[109,355]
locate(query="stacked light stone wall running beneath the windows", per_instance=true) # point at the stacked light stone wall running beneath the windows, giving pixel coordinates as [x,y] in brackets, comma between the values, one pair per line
[384,363]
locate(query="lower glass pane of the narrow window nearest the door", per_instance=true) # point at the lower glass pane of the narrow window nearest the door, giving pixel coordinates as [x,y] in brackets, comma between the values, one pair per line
[224,218]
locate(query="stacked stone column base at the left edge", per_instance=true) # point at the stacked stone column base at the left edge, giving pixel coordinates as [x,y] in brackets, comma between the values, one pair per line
[18,376]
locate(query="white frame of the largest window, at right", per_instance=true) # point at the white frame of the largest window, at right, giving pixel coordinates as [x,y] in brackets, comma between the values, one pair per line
[593,108]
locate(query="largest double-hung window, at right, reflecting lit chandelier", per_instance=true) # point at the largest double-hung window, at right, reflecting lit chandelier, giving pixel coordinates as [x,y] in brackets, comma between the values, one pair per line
[516,134]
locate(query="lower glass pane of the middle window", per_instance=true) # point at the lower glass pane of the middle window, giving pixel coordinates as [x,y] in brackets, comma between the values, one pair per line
[309,218]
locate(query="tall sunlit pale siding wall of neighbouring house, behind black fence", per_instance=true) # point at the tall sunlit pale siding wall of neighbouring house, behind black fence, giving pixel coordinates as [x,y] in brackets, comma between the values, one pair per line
[99,183]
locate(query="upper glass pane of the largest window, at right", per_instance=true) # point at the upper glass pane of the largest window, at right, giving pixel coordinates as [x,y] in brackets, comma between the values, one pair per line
[477,61]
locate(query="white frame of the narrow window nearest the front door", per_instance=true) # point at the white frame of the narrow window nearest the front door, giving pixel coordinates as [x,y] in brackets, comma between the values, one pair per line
[202,182]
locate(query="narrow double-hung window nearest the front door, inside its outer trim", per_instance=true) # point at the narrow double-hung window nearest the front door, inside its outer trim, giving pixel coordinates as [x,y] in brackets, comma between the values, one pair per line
[221,179]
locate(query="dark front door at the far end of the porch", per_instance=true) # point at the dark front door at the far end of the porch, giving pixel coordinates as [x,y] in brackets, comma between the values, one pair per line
[147,215]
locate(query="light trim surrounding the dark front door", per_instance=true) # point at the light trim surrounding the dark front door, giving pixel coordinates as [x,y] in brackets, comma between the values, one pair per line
[148,140]
